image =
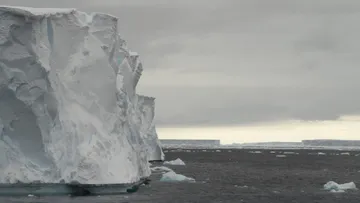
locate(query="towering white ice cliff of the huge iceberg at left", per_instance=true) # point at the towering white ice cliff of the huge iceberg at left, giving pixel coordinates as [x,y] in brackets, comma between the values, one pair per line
[68,104]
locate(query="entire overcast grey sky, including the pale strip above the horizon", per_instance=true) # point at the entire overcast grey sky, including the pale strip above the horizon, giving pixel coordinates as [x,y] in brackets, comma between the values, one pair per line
[237,69]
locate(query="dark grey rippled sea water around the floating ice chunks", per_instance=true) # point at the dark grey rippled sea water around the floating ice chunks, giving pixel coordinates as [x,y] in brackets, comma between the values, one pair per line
[240,176]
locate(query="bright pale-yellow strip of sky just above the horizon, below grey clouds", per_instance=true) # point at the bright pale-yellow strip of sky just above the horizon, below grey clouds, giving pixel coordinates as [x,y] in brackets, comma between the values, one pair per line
[346,128]
